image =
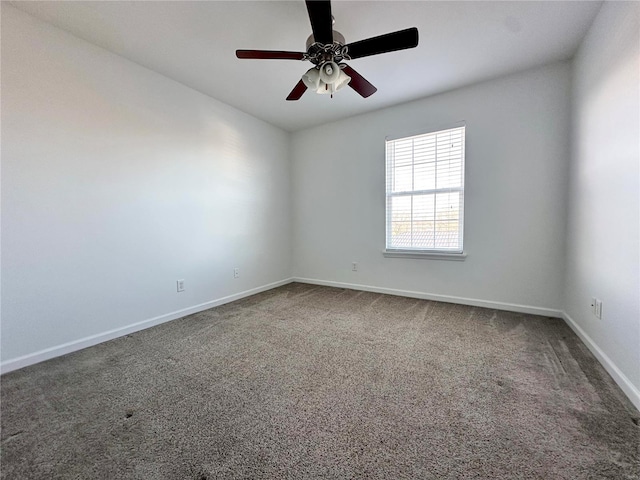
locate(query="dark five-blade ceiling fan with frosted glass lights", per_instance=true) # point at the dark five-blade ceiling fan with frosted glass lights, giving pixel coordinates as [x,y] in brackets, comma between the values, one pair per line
[327,50]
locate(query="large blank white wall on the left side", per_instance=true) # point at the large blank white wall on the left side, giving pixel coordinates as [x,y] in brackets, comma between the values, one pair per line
[116,182]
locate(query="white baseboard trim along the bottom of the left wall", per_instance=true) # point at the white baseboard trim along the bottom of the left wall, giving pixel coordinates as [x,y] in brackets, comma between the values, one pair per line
[73,346]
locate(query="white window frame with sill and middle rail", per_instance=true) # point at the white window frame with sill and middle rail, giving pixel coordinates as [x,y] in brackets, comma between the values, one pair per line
[425,253]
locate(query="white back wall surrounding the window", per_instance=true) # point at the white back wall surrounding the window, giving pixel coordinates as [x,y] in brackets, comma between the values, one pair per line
[516,164]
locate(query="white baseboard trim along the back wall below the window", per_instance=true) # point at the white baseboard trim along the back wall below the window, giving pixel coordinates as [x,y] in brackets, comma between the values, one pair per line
[512,307]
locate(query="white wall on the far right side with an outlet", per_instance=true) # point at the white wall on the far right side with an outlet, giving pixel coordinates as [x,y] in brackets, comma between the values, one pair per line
[603,235]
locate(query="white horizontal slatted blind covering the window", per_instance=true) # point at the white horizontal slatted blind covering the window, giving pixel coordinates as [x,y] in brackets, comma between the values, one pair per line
[425,192]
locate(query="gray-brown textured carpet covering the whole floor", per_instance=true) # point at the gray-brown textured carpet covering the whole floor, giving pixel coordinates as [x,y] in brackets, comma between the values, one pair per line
[316,382]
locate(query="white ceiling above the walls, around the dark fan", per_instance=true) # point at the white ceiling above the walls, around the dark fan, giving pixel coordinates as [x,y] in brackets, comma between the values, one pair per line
[195,42]
